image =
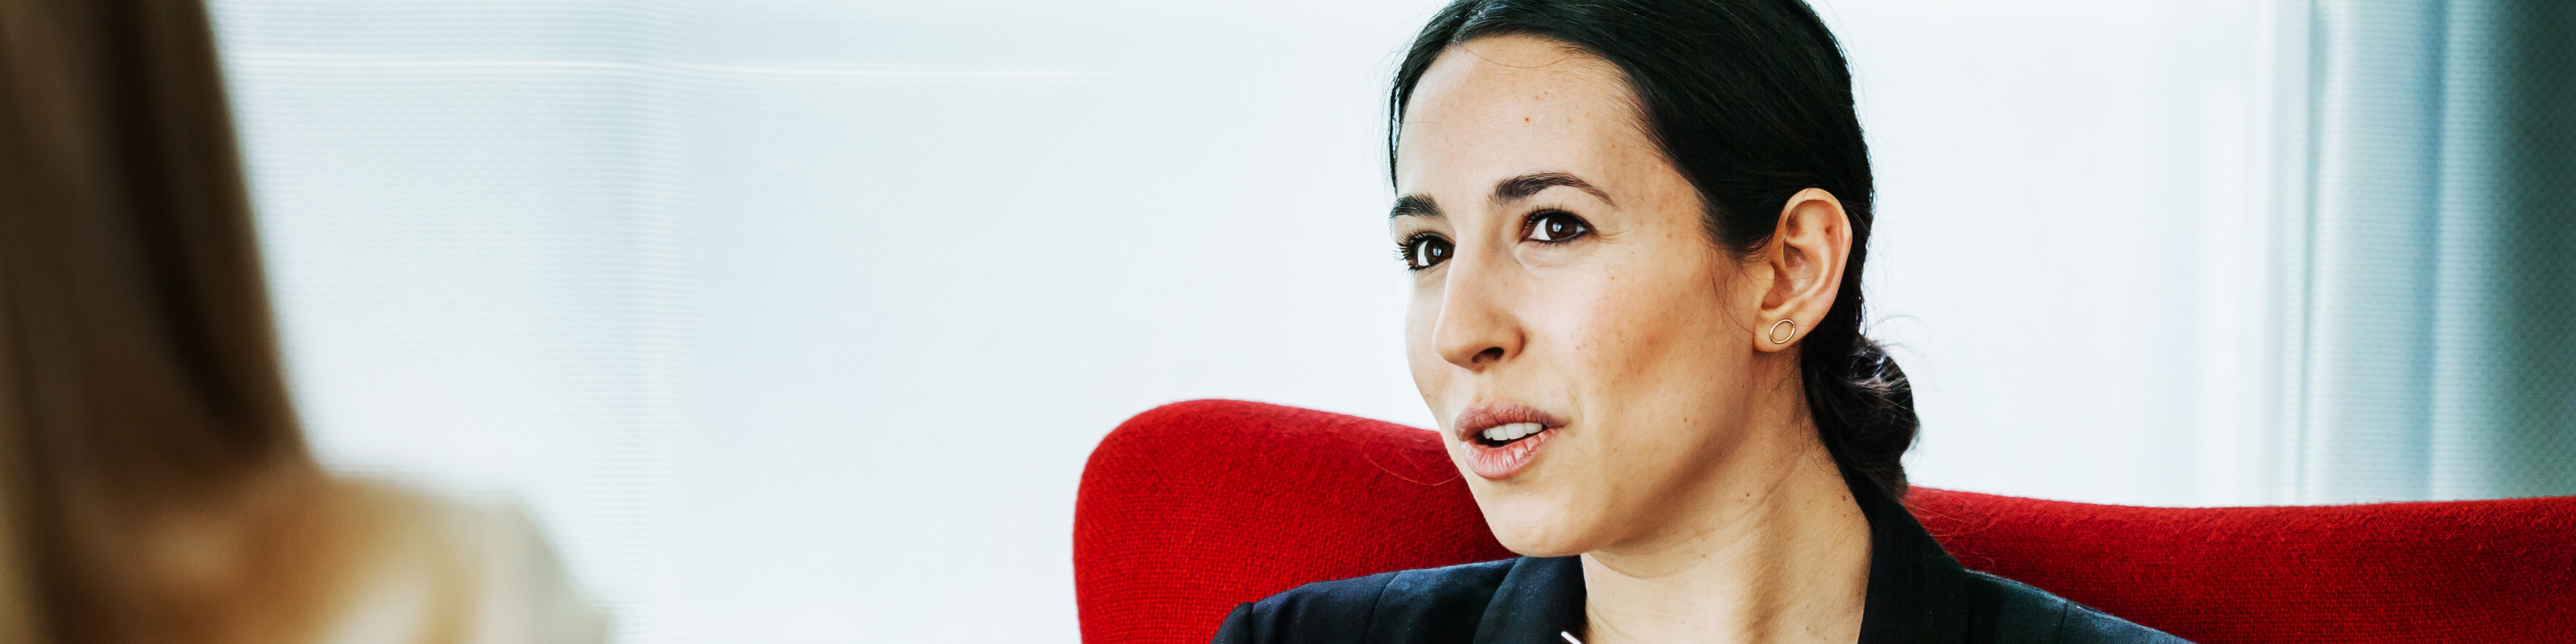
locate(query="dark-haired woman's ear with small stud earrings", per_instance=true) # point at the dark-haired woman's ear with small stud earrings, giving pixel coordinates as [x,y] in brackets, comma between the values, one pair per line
[1802,269]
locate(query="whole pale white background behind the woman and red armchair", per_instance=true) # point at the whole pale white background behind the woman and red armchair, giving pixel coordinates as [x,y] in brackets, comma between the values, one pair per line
[797,321]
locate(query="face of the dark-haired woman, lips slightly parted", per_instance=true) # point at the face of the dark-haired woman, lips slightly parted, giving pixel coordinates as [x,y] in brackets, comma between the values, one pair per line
[1578,334]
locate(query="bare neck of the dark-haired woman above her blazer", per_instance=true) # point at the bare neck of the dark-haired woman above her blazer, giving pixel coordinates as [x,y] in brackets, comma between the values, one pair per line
[1781,555]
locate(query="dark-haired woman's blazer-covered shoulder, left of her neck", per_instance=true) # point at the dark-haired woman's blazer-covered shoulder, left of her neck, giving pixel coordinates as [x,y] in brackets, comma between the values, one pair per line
[1439,604]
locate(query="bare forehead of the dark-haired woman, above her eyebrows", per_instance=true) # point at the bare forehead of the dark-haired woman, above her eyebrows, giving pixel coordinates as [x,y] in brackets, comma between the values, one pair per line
[1516,104]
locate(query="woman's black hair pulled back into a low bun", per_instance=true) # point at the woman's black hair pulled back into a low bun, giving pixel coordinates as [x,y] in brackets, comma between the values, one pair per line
[1750,102]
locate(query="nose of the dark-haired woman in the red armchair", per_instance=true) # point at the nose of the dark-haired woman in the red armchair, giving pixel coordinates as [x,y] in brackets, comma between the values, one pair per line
[1477,318]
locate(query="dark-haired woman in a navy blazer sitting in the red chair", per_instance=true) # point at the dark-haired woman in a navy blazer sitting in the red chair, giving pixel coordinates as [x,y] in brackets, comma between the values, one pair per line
[1637,236]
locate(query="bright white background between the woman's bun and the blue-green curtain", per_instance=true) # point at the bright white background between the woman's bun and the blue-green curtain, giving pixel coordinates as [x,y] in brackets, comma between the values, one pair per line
[2075,241]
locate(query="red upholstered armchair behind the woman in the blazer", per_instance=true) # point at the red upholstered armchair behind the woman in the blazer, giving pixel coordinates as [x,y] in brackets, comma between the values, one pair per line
[1199,506]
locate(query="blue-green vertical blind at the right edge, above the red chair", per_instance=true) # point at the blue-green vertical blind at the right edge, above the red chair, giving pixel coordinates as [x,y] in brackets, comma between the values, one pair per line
[2433,220]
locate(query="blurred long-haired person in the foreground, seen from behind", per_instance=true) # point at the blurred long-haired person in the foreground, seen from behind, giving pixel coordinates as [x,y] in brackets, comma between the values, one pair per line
[153,480]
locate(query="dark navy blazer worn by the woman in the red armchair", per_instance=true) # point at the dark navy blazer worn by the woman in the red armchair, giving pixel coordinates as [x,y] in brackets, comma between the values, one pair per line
[1918,594]
